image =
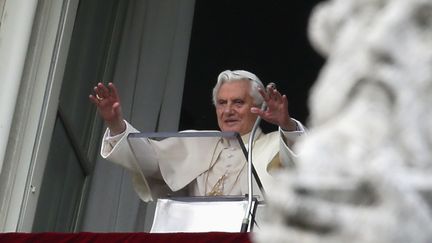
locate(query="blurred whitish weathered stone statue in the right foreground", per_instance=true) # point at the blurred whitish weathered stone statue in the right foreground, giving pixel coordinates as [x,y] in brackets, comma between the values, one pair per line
[364,173]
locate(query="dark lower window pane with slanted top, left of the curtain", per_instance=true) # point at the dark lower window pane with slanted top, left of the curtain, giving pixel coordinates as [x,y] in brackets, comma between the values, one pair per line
[62,186]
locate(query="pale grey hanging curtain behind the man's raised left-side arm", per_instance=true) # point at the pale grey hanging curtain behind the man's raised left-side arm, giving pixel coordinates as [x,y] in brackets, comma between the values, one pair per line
[149,73]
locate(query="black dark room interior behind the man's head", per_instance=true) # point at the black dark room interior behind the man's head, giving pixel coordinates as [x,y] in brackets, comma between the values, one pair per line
[268,38]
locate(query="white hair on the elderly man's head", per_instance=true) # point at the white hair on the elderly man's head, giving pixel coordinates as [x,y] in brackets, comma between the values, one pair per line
[236,75]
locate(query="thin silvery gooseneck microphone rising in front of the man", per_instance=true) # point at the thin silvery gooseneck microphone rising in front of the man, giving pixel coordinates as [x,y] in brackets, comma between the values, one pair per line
[248,212]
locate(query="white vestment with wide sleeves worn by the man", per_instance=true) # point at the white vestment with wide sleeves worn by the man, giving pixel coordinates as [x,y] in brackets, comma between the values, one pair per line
[196,162]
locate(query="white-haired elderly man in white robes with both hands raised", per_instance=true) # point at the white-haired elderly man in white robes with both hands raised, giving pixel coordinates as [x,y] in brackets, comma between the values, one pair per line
[204,166]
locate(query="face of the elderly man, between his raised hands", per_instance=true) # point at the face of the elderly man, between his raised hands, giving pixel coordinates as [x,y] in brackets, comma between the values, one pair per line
[233,103]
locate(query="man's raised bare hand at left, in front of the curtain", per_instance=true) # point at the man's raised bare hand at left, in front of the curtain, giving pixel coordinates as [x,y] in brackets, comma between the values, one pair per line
[107,102]
